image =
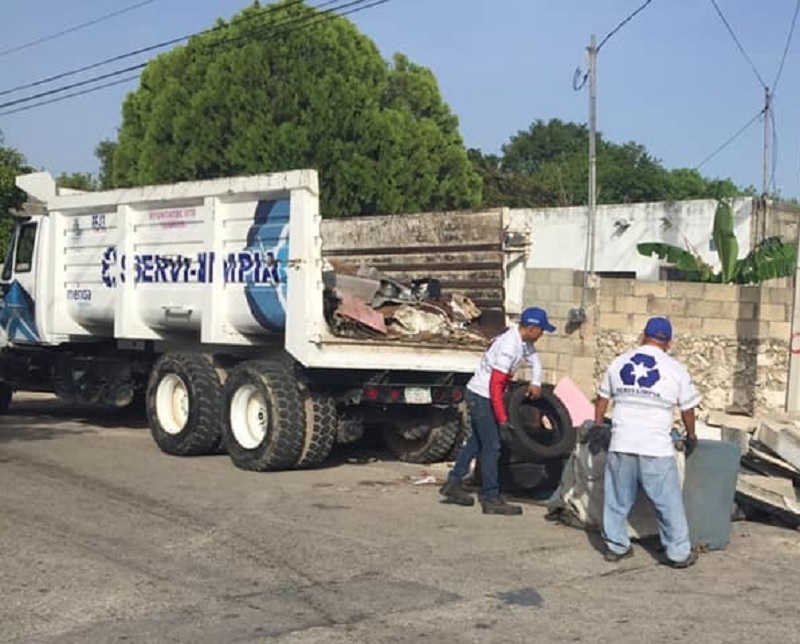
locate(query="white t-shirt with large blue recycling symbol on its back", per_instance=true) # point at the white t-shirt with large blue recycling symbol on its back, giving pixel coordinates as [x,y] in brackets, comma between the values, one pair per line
[646,384]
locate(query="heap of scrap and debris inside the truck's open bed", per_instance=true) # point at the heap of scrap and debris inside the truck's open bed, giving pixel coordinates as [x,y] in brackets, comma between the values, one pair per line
[364,303]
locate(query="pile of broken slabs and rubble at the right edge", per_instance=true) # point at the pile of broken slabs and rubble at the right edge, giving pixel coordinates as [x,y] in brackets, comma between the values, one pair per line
[770,466]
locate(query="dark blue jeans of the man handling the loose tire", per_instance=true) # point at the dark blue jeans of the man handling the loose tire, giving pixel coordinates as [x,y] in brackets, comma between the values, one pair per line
[484,440]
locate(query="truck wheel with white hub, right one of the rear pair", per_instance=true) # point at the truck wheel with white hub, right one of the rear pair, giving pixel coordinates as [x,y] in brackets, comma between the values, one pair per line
[263,416]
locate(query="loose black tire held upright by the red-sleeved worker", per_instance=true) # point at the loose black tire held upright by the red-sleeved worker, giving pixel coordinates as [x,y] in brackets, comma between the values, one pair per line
[530,419]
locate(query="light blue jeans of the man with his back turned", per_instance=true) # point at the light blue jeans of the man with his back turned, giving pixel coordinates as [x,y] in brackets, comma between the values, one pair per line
[661,483]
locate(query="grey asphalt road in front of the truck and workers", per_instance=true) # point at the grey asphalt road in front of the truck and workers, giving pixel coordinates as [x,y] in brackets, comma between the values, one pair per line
[105,539]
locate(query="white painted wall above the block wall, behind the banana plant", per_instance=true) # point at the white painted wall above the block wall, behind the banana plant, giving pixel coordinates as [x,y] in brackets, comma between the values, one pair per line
[559,235]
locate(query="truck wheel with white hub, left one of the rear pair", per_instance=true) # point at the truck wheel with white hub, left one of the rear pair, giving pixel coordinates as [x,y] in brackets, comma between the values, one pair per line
[182,405]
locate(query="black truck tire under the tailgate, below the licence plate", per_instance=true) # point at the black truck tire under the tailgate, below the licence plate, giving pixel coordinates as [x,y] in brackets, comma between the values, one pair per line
[421,436]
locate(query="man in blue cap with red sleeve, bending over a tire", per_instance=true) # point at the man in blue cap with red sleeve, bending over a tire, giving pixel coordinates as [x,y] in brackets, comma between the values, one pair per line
[485,397]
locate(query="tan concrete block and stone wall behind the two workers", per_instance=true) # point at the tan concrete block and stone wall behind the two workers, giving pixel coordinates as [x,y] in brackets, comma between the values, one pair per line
[734,339]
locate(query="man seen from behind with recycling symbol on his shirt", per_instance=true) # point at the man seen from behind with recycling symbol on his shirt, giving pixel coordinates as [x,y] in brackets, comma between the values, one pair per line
[646,385]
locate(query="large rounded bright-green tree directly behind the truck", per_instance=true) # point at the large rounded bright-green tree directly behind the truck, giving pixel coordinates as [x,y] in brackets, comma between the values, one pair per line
[252,96]
